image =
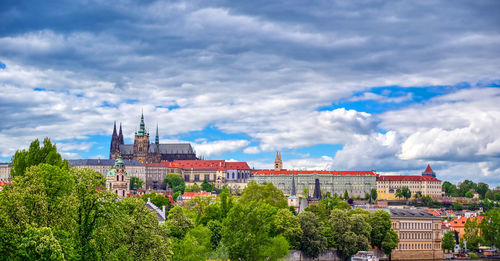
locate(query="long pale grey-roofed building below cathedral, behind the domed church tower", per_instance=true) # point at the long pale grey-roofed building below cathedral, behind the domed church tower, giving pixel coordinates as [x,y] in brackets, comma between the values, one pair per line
[103,166]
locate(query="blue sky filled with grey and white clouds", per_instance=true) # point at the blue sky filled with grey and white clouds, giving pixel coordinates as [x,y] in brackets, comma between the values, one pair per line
[389,86]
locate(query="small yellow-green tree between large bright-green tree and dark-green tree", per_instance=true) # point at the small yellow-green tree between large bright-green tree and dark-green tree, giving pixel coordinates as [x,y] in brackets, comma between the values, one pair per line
[288,225]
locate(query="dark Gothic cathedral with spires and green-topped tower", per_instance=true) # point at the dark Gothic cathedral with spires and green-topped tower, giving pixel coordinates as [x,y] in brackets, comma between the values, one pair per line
[144,151]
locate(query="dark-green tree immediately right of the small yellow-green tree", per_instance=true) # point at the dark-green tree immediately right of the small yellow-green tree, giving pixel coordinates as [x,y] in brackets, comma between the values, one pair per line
[312,242]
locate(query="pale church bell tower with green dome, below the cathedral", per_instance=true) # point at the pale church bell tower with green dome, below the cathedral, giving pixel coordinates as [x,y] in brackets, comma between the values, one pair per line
[118,179]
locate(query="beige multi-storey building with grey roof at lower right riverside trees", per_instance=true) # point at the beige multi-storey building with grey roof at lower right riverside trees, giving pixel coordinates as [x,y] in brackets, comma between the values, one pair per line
[419,235]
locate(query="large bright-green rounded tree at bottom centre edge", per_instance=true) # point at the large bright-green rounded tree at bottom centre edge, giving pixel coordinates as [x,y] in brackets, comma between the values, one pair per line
[245,225]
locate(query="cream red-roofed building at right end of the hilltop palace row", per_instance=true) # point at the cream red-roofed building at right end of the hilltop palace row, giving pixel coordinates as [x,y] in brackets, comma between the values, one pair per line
[387,186]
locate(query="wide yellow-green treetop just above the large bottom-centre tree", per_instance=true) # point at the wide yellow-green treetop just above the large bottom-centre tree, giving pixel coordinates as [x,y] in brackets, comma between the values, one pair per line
[266,193]
